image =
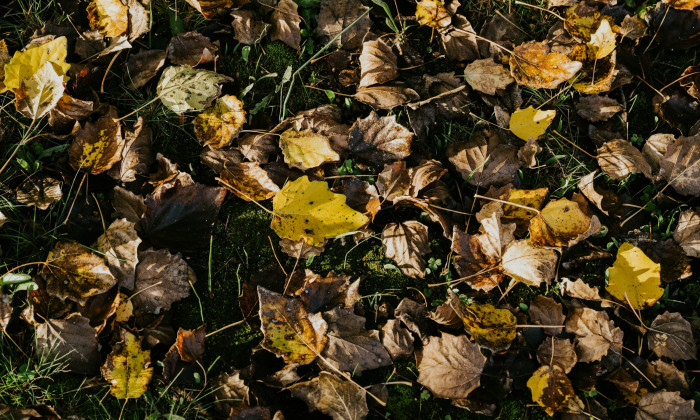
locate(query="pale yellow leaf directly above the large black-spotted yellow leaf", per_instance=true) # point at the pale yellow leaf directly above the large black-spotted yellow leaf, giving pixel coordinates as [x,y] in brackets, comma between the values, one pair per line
[306,149]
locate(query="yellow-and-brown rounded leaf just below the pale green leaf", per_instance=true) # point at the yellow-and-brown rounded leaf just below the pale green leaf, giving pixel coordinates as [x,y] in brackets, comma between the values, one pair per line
[218,125]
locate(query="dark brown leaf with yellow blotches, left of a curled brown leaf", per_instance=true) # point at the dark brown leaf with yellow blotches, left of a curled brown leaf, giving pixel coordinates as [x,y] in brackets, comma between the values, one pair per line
[98,145]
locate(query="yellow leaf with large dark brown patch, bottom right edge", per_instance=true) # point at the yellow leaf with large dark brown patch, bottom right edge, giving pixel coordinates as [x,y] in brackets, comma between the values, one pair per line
[550,388]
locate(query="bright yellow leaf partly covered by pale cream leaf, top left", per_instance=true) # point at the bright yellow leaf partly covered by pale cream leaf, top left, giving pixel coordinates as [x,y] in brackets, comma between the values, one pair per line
[23,65]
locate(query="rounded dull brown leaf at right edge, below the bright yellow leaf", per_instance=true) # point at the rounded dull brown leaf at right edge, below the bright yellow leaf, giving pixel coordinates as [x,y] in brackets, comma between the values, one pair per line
[672,336]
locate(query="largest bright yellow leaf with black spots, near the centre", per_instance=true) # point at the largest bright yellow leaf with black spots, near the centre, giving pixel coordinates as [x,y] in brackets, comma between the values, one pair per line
[309,211]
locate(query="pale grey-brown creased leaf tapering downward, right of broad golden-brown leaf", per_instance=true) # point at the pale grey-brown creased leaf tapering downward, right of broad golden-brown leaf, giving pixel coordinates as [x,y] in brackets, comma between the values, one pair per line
[119,245]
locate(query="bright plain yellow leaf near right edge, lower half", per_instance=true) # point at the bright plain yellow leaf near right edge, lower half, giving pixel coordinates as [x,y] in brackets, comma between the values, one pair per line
[635,277]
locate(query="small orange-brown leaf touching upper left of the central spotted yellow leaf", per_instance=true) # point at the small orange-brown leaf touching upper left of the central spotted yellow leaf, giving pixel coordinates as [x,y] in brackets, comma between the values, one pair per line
[248,181]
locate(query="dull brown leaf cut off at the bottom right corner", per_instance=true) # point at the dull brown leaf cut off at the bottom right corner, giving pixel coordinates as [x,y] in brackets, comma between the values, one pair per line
[664,405]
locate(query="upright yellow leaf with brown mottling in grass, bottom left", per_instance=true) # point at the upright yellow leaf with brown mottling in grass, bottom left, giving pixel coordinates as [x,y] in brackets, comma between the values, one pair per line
[128,370]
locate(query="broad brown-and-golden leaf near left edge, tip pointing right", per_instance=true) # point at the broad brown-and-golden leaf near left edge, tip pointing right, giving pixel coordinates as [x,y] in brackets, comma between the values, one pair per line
[74,272]
